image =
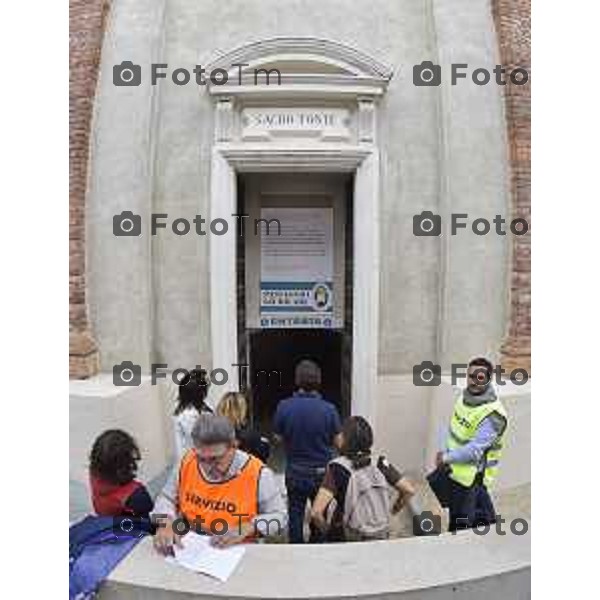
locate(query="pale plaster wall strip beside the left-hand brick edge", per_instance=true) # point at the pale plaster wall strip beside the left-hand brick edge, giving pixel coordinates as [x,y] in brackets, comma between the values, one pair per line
[121,178]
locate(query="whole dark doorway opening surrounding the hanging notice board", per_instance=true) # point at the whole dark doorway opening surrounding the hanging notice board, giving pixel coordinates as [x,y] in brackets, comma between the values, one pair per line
[272,353]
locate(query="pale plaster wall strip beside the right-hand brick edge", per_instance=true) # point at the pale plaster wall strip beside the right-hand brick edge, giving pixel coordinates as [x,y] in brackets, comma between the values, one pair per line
[474,181]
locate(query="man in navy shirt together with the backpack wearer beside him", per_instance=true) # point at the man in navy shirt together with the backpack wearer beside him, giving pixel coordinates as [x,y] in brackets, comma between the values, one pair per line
[312,433]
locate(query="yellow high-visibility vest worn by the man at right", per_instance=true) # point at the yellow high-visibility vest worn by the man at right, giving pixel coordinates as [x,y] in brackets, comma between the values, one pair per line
[463,427]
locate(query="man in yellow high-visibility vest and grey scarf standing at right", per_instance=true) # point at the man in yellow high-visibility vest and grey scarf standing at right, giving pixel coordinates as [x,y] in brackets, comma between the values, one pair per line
[473,448]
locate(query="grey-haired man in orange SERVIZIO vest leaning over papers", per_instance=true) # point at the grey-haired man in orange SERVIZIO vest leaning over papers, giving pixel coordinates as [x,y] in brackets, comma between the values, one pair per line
[218,490]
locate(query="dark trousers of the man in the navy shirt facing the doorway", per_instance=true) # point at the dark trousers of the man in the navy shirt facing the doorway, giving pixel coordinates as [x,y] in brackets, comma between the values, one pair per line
[302,485]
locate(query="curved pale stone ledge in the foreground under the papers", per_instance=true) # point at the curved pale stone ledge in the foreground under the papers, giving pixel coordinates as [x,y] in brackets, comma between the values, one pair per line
[434,567]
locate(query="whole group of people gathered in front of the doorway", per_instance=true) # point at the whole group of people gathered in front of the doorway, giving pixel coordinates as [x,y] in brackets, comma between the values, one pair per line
[222,486]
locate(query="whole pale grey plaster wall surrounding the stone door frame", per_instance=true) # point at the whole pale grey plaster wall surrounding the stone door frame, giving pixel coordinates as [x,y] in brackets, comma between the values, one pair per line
[441,149]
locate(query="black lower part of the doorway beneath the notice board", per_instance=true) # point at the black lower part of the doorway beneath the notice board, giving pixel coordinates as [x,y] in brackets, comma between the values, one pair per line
[273,357]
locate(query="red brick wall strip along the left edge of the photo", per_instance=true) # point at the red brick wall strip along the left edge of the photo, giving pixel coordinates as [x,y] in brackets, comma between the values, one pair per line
[86,18]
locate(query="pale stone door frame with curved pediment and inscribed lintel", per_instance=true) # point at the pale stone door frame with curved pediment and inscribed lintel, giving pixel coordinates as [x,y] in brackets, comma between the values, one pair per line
[335,74]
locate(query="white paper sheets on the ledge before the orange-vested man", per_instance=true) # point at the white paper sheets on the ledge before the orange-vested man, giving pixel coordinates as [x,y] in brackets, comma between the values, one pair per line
[198,555]
